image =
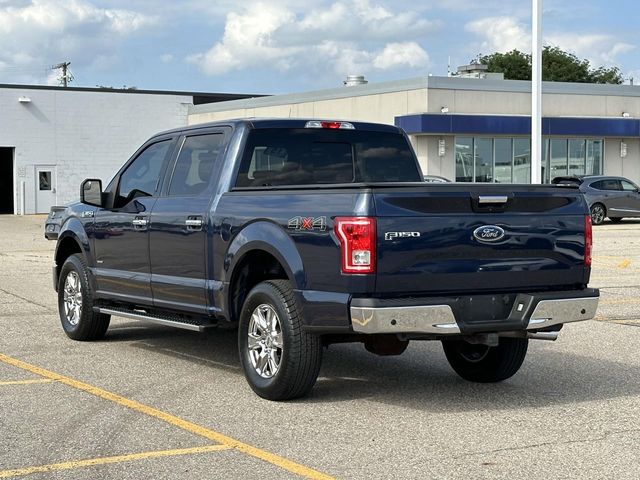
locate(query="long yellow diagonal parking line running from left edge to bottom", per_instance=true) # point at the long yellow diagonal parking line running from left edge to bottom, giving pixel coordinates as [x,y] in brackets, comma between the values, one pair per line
[277,460]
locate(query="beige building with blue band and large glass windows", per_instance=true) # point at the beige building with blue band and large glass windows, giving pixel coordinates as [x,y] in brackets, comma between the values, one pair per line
[478,129]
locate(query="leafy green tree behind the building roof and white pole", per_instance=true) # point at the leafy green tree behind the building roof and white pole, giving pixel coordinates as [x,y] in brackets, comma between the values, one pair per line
[557,66]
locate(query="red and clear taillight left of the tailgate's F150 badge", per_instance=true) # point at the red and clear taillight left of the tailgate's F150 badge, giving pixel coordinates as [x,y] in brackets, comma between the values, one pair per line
[357,237]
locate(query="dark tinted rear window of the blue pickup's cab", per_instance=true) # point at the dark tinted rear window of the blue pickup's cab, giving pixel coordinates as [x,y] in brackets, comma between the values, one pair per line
[318,156]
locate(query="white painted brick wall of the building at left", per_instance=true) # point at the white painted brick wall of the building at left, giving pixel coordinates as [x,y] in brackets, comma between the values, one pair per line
[84,133]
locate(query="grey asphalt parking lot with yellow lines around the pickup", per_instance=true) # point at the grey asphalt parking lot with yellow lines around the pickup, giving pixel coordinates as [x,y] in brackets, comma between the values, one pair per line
[154,402]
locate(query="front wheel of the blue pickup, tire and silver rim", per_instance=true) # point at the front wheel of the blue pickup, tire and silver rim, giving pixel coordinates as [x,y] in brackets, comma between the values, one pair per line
[75,302]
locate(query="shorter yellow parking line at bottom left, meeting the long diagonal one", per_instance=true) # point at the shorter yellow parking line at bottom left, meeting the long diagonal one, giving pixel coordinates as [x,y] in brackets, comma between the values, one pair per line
[108,460]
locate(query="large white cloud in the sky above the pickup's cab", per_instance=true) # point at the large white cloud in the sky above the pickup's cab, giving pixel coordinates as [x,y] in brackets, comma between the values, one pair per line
[277,36]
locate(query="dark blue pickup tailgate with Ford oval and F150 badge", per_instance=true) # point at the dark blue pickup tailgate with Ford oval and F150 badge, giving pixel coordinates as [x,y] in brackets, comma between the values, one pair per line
[533,239]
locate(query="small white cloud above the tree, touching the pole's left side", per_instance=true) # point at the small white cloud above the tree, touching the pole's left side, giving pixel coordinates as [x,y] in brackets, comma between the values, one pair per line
[501,34]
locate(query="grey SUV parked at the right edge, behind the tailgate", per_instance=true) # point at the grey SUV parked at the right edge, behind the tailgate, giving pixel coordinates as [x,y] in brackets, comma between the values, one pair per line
[613,197]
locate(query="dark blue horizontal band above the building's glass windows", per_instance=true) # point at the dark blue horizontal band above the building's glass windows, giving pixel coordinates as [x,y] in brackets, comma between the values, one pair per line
[446,124]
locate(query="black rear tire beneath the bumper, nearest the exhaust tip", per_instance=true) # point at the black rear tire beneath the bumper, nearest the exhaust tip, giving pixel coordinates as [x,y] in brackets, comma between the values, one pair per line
[483,364]
